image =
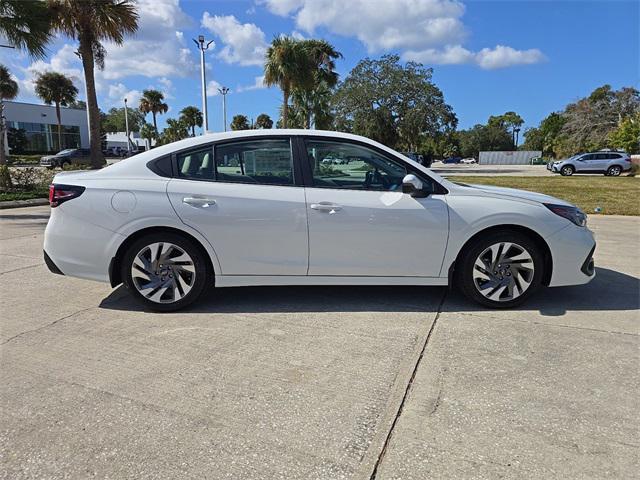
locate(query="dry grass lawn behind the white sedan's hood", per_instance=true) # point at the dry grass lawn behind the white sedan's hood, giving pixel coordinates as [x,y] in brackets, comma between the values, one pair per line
[614,195]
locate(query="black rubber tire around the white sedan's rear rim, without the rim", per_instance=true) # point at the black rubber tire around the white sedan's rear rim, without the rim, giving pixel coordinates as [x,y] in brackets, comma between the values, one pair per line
[202,273]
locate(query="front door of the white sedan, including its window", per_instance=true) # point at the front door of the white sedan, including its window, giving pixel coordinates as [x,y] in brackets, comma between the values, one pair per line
[360,222]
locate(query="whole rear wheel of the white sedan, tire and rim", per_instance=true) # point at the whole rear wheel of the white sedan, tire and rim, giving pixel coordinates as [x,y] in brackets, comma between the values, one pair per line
[165,271]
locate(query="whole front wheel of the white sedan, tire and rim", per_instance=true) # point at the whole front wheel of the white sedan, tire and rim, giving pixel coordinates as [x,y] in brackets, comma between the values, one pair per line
[501,270]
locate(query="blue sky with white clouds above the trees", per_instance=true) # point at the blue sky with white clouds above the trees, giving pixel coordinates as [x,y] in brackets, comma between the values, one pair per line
[488,57]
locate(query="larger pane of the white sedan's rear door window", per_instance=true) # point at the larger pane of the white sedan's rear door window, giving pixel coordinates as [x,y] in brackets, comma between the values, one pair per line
[267,162]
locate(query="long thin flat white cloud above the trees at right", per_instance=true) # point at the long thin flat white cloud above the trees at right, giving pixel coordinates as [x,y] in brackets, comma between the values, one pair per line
[487,58]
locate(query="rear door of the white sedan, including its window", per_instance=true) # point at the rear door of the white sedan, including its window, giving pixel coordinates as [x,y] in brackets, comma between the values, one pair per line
[244,198]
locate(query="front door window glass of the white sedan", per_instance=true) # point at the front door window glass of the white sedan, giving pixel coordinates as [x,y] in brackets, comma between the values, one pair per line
[350,166]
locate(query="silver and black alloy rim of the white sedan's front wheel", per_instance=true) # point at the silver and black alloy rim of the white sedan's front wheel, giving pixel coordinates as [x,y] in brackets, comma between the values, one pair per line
[503,271]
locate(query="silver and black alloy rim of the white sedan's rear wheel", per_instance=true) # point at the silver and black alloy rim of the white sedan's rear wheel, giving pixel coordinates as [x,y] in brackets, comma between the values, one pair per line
[163,272]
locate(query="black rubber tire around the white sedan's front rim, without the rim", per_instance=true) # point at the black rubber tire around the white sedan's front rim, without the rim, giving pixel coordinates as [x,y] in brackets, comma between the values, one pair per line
[466,265]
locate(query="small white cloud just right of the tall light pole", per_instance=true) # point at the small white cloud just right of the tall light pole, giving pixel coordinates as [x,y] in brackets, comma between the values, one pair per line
[244,43]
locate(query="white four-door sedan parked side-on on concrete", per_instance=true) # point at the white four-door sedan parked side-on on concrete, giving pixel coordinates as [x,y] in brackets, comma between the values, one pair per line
[263,208]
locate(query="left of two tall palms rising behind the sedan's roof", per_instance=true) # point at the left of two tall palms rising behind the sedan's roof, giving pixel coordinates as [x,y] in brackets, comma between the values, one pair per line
[285,66]
